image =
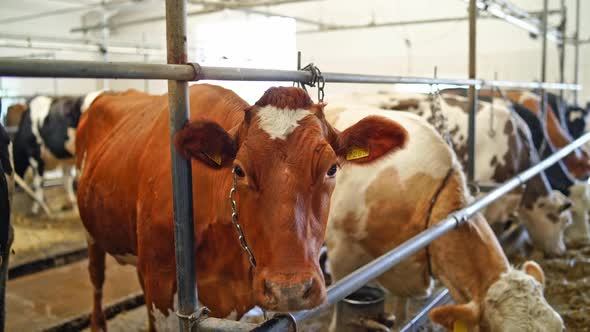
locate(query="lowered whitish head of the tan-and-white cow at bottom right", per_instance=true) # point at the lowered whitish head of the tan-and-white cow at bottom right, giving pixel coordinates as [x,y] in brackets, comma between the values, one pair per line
[514,302]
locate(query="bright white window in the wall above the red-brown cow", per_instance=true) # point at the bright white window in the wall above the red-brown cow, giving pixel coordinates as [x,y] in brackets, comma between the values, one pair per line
[251,42]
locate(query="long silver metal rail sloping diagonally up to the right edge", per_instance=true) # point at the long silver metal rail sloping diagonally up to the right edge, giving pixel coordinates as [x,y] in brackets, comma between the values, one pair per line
[374,269]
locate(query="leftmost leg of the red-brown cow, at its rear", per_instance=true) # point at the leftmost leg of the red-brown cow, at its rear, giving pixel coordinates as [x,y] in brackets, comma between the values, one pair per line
[96,268]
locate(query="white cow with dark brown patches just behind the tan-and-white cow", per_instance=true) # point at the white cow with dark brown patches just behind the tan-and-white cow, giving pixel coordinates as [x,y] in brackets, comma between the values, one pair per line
[503,149]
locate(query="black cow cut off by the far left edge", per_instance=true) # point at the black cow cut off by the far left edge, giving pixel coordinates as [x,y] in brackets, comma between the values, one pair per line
[6,188]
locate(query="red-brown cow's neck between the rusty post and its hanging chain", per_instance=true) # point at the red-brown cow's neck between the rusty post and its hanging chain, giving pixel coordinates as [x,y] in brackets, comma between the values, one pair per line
[223,270]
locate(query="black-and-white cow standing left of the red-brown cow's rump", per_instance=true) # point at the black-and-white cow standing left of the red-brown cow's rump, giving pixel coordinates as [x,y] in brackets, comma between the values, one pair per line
[45,139]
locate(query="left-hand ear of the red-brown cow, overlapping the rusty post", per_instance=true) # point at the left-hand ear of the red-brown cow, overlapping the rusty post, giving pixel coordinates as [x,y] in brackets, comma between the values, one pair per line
[206,142]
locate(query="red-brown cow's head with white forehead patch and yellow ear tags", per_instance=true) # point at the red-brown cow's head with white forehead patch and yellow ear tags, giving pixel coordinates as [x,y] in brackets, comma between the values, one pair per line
[285,156]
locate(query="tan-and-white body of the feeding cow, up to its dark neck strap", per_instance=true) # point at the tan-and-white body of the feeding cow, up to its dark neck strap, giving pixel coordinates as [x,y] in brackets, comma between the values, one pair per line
[375,208]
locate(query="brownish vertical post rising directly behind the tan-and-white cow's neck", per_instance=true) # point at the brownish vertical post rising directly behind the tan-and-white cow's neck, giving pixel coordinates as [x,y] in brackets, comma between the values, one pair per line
[472,90]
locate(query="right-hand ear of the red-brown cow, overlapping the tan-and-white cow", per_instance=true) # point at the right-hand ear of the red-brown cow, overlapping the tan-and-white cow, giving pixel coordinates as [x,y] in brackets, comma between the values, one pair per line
[370,139]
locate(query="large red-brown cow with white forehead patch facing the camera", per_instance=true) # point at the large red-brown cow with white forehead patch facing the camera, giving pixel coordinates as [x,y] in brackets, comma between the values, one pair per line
[285,156]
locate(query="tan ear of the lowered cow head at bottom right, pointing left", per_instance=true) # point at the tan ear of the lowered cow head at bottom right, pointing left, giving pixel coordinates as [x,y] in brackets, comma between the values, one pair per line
[462,317]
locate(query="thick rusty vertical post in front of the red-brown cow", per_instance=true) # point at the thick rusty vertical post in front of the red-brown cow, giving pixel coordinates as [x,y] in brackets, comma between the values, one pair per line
[178,100]
